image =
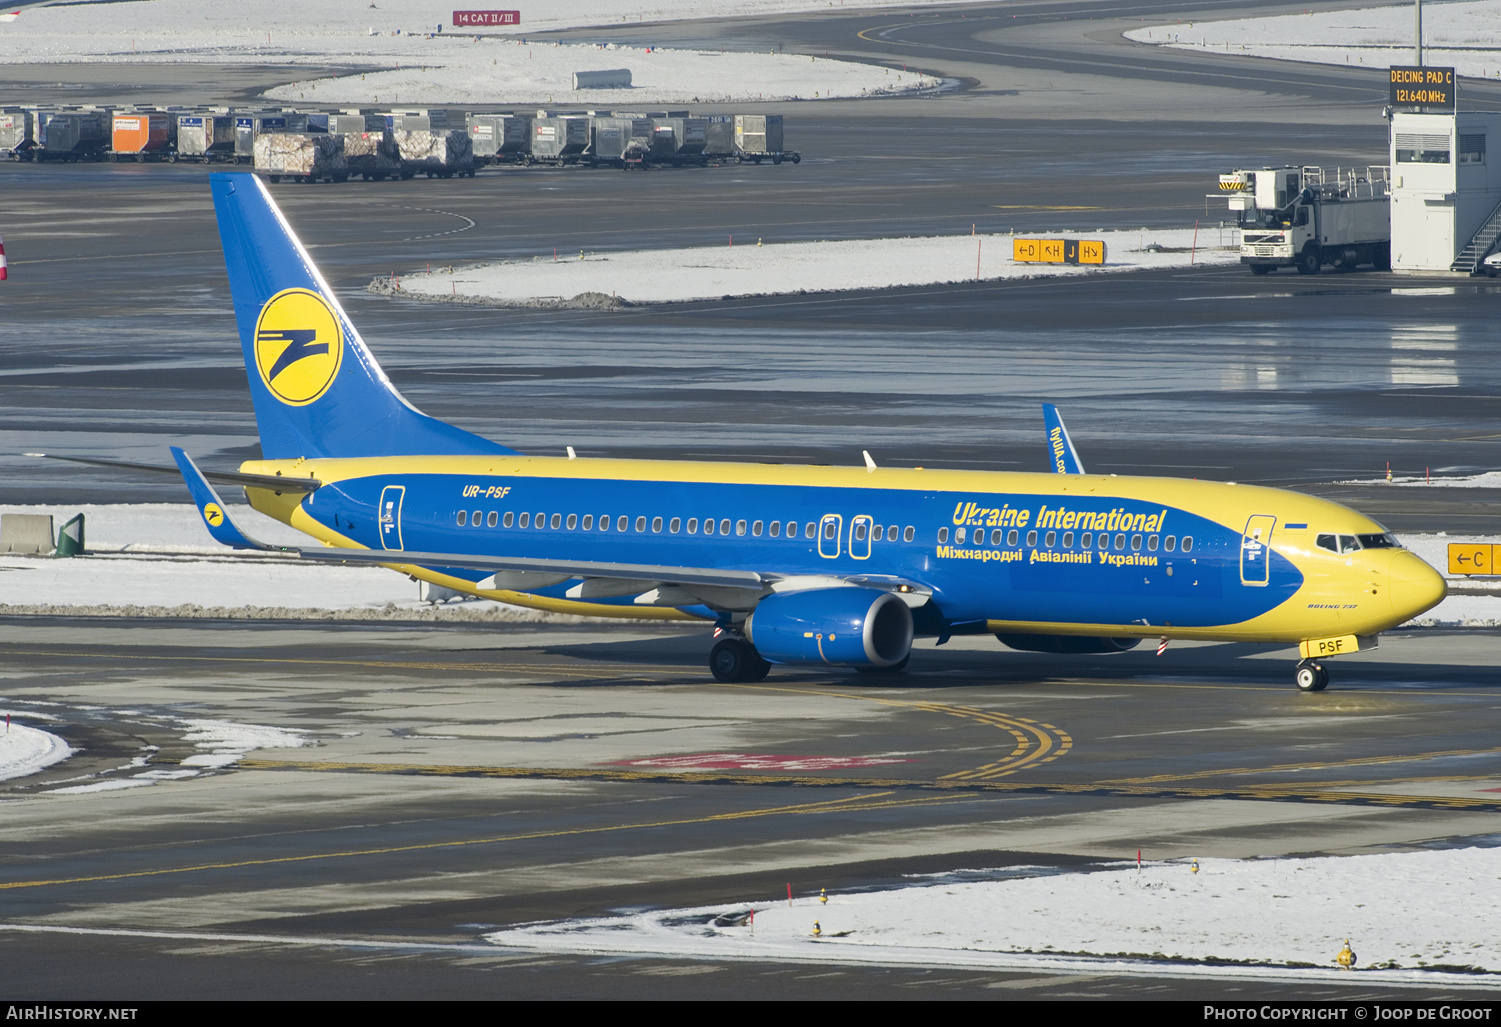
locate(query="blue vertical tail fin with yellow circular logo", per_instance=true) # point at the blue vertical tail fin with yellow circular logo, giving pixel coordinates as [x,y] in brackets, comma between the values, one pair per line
[316,387]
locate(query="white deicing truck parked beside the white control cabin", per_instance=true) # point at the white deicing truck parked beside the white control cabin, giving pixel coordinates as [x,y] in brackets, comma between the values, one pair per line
[1311,217]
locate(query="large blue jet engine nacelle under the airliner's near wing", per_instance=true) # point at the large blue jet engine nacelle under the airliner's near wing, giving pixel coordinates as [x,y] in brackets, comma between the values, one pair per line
[849,627]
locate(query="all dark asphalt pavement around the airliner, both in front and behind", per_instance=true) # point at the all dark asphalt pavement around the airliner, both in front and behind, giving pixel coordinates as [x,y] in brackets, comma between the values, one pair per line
[466,777]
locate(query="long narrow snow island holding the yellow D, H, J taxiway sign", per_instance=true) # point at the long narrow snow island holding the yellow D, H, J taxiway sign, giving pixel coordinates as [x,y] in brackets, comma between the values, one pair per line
[747,268]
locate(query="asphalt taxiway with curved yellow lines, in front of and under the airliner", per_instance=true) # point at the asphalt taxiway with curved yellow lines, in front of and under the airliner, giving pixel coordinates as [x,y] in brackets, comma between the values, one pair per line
[460,780]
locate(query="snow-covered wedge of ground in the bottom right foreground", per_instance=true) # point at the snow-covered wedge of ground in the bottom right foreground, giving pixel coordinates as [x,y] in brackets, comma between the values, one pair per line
[1409,917]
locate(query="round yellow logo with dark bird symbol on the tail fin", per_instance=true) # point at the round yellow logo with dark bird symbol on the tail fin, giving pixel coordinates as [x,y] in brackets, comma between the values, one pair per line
[299,346]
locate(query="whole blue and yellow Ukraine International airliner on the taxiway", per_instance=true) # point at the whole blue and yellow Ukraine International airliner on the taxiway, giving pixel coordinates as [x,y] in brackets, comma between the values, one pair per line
[792,565]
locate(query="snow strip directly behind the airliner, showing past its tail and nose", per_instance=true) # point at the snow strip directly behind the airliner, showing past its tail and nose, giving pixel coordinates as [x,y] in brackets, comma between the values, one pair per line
[157,559]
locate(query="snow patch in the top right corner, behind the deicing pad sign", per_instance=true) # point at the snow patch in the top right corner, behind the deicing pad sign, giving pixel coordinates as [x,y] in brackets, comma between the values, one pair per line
[1460,35]
